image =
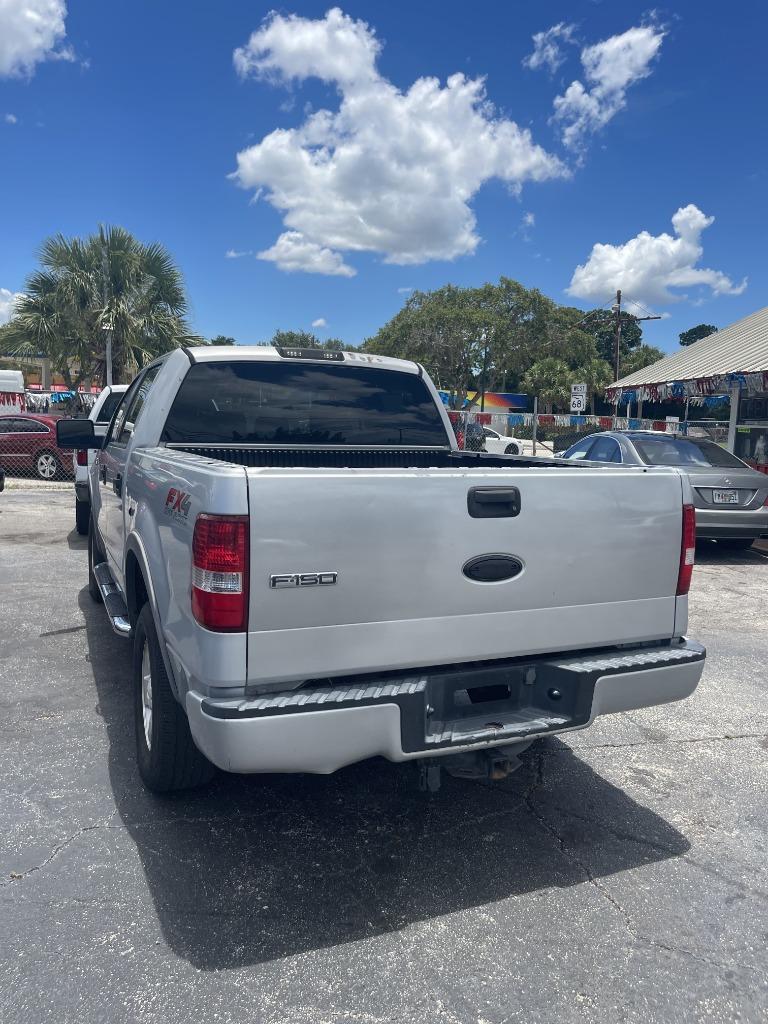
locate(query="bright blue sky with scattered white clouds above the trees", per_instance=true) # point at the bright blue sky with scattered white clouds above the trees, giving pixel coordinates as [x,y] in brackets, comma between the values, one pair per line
[310,168]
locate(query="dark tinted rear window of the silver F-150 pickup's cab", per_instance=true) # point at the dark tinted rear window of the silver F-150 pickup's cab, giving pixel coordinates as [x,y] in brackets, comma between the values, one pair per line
[261,403]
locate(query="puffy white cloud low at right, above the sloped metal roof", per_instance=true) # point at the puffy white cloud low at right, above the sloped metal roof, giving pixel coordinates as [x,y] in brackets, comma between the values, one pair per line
[649,267]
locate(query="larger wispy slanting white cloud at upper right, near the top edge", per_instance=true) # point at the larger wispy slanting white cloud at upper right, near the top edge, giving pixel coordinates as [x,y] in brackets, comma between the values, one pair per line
[611,68]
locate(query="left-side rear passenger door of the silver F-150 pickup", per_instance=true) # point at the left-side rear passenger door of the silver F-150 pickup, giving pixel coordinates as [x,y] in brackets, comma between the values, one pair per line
[112,467]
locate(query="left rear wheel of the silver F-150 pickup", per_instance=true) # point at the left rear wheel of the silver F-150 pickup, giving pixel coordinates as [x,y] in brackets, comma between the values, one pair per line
[167,756]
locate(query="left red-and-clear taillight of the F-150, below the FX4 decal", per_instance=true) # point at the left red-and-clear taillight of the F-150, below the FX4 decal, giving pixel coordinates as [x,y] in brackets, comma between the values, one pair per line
[221,573]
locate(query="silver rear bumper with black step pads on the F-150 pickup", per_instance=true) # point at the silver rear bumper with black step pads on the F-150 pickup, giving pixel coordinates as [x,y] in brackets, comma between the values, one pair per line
[420,716]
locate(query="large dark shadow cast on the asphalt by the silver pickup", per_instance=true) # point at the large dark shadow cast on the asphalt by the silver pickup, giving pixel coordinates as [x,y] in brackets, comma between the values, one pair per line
[254,869]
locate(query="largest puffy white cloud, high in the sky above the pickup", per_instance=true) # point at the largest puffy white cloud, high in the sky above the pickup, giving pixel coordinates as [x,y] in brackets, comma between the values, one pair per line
[390,173]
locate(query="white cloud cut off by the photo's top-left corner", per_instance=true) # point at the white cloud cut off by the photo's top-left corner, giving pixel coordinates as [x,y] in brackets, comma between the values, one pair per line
[30,33]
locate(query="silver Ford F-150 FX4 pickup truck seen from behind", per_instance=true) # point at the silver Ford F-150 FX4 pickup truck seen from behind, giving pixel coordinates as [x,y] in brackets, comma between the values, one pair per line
[312,574]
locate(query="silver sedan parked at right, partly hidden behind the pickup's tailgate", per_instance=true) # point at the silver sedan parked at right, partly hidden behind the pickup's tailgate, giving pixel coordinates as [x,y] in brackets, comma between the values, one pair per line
[732,499]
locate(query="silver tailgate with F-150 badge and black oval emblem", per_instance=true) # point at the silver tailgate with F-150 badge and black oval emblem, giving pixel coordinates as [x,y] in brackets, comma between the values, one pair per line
[600,549]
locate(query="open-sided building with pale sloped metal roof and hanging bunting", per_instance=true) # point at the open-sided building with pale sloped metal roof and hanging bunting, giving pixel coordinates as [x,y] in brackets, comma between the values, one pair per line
[733,362]
